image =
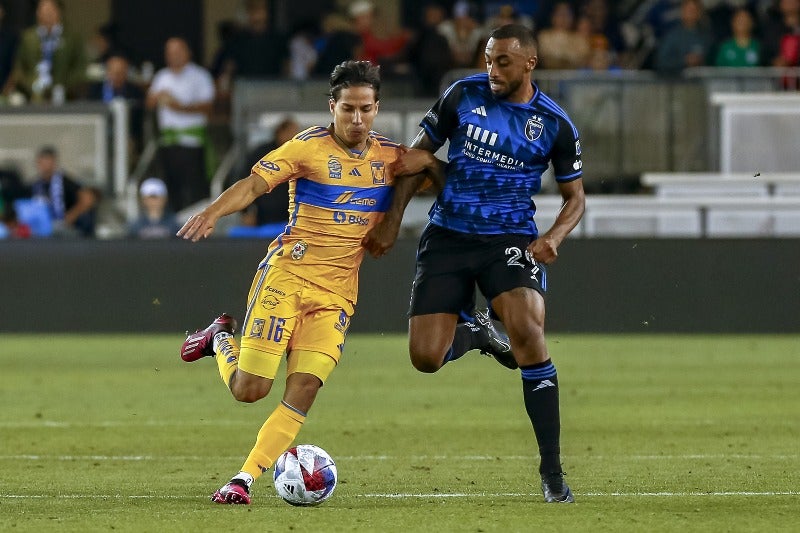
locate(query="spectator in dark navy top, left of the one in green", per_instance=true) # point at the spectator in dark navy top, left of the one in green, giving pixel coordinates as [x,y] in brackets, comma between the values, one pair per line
[687,45]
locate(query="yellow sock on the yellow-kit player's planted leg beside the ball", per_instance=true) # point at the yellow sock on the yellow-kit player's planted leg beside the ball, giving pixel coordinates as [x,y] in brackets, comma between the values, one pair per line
[274,438]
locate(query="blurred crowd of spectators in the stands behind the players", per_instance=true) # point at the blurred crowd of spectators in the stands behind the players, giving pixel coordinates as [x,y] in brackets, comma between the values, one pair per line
[45,61]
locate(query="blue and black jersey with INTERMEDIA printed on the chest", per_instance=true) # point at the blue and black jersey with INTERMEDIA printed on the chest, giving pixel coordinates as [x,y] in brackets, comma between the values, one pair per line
[498,152]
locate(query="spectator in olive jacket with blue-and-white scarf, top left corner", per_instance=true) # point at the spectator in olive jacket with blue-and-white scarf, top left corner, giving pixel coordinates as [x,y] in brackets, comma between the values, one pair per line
[50,56]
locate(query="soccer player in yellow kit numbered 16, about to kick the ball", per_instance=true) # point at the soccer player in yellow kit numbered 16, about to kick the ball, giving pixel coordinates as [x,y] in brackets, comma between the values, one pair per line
[304,291]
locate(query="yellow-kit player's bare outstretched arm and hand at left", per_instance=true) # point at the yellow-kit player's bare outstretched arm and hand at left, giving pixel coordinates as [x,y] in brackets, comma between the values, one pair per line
[237,197]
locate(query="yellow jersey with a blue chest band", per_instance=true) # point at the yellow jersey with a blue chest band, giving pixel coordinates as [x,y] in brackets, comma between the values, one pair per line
[335,197]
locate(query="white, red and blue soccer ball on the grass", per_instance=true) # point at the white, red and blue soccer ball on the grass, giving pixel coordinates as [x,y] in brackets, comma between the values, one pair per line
[305,475]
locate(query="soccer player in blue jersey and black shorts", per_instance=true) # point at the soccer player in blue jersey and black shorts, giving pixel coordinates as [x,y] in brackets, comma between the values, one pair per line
[503,132]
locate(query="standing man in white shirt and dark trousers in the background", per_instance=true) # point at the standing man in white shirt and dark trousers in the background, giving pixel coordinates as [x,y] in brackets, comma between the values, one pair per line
[183,94]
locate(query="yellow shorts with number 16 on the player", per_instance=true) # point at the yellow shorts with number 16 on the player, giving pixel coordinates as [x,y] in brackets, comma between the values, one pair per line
[288,314]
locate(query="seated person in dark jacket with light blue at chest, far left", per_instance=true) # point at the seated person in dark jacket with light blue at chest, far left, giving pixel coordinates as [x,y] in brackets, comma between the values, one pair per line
[71,205]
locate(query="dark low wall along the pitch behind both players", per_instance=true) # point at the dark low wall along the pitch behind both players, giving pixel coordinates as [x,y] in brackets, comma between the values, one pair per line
[598,285]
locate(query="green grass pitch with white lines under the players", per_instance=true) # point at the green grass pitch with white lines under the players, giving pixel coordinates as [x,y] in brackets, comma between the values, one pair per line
[659,433]
